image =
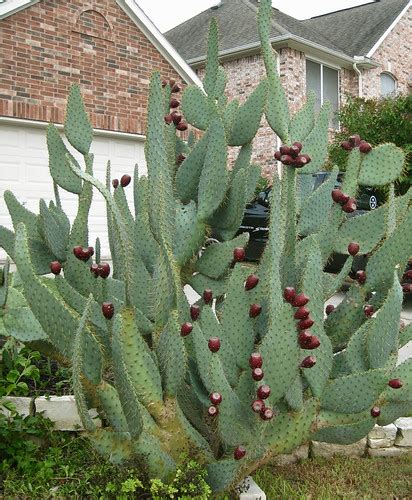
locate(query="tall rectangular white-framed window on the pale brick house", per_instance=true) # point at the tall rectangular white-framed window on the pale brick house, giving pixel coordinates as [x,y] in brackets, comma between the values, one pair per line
[324,81]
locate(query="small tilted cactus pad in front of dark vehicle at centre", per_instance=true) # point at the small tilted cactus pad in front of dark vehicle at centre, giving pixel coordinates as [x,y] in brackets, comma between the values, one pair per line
[217,258]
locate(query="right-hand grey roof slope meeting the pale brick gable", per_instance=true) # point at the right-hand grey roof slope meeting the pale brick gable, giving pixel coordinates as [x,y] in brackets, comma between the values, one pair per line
[356,30]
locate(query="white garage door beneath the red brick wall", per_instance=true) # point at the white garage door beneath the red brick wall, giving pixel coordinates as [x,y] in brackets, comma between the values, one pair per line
[24,171]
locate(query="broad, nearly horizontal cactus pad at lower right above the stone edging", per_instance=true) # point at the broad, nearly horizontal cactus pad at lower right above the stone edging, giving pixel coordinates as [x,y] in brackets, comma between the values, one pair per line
[353,393]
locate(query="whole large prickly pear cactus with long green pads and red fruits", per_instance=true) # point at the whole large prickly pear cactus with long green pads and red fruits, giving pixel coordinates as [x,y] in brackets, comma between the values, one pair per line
[274,383]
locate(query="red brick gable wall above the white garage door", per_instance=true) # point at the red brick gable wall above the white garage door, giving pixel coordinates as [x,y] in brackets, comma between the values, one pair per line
[47,47]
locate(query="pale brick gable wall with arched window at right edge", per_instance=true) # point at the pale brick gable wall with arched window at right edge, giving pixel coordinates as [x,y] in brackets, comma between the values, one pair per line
[395,57]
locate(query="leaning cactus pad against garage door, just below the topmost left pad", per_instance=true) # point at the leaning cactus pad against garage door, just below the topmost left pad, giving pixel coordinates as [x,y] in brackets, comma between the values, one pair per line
[58,165]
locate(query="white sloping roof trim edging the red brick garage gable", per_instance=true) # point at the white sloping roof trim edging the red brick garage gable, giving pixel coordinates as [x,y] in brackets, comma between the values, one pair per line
[137,15]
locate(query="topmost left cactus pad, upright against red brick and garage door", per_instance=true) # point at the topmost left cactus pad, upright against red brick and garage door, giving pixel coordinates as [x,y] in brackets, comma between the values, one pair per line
[77,127]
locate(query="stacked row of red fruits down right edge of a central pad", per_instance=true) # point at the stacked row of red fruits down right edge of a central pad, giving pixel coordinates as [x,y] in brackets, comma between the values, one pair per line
[305,339]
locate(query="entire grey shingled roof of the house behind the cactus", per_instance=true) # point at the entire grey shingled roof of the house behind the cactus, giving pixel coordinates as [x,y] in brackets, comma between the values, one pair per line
[345,33]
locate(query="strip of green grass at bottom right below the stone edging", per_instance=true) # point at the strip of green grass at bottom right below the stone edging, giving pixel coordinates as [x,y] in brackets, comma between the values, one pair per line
[339,478]
